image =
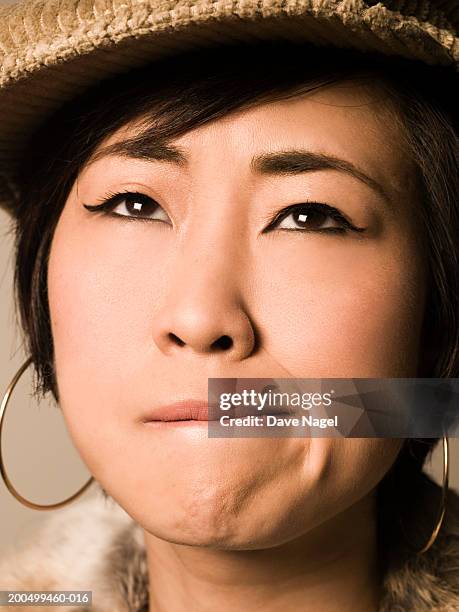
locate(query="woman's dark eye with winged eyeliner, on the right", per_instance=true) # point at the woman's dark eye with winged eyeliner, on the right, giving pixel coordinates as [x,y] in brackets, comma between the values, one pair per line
[312,217]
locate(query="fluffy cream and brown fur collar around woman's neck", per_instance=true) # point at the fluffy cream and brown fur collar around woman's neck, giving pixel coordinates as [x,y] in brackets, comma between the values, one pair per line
[95,545]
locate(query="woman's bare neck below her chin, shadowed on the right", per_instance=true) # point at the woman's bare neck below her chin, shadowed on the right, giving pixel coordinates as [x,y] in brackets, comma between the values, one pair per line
[332,569]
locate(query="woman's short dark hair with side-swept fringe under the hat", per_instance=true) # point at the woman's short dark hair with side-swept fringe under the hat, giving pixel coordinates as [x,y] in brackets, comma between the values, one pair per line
[178,94]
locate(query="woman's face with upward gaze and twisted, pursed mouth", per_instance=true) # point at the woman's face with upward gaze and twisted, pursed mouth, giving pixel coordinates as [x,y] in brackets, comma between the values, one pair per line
[136,307]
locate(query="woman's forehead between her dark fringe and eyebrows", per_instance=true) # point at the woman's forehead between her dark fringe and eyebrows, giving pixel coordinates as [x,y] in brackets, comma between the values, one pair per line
[351,120]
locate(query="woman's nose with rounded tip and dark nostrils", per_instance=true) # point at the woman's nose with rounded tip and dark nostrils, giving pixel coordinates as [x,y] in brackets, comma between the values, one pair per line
[204,311]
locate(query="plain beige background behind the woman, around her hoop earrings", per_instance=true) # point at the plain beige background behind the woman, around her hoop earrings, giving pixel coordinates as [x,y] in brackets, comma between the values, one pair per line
[40,457]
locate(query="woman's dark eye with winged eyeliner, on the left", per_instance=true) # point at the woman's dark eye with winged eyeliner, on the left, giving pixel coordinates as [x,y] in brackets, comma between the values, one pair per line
[132,205]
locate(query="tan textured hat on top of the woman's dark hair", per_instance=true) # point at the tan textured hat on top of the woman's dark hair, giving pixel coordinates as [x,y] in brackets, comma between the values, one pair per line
[50,50]
